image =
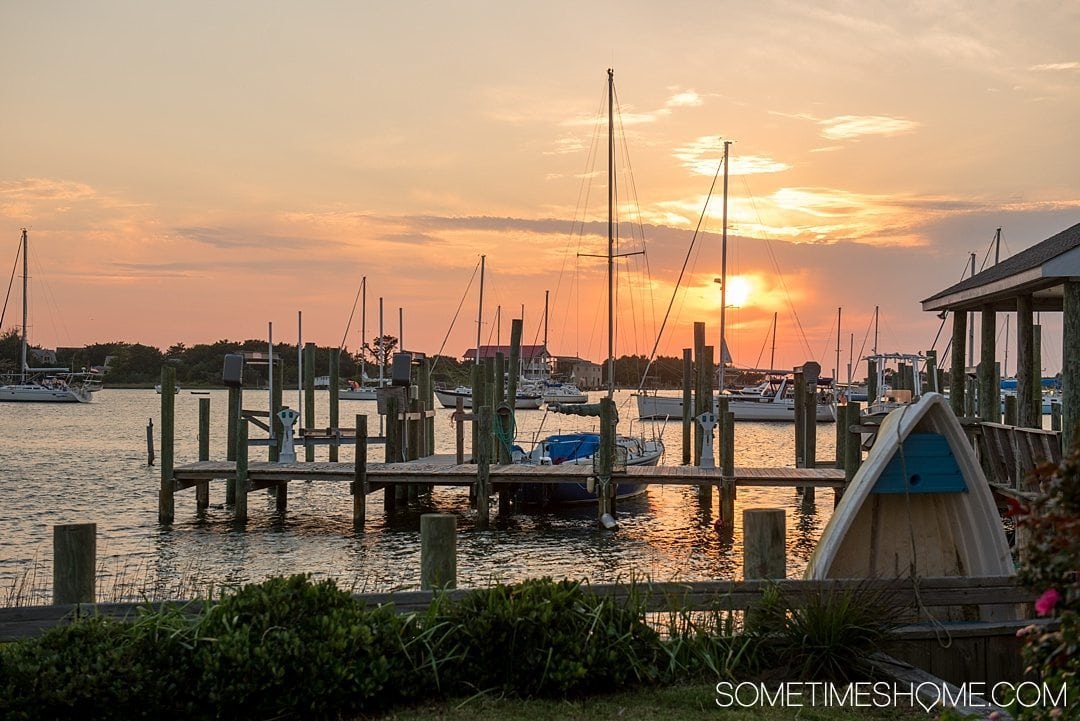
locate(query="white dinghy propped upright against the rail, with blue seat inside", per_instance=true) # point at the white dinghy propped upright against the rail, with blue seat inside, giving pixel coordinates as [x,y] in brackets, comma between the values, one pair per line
[919,507]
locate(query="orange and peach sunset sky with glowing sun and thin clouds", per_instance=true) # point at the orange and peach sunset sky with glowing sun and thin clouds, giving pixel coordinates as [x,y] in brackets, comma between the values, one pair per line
[205,171]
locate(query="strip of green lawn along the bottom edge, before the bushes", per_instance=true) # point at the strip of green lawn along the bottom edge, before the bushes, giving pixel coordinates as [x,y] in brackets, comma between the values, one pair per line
[682,703]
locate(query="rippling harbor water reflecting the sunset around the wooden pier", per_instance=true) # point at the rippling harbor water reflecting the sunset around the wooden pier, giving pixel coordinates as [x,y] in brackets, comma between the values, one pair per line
[88,464]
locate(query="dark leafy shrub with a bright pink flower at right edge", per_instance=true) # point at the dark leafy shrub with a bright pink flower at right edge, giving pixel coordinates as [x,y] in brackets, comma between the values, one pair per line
[1049,527]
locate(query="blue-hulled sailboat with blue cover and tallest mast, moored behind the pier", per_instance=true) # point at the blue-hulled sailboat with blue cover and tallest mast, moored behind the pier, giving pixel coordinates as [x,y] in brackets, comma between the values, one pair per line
[579,448]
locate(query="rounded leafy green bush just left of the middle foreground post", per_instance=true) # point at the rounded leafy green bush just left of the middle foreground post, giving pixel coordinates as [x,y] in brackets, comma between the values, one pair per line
[292,647]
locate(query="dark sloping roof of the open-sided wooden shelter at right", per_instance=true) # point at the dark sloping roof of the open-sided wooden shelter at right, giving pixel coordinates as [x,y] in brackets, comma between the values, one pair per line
[1042,271]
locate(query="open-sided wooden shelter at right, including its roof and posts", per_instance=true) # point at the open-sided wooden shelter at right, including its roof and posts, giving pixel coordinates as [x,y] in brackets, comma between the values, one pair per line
[1045,278]
